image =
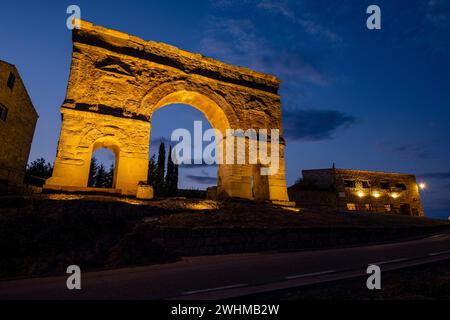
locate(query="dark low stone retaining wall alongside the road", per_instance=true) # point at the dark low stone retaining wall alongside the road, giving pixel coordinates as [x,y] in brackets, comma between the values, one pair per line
[188,242]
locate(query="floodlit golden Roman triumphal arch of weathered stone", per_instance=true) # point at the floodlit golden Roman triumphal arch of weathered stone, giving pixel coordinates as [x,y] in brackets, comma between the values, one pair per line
[117,81]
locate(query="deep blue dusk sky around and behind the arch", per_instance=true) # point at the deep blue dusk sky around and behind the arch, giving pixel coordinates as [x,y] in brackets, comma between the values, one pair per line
[376,100]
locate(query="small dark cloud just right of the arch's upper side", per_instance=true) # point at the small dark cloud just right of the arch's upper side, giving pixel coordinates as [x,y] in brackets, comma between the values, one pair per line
[314,125]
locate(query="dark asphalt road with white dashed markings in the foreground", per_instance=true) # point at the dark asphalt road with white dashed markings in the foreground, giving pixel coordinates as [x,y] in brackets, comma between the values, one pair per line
[213,277]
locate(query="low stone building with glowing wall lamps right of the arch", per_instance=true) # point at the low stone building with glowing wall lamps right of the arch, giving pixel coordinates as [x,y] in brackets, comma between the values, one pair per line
[357,191]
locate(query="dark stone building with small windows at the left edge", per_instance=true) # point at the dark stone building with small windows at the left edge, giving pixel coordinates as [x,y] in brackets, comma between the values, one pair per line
[17,123]
